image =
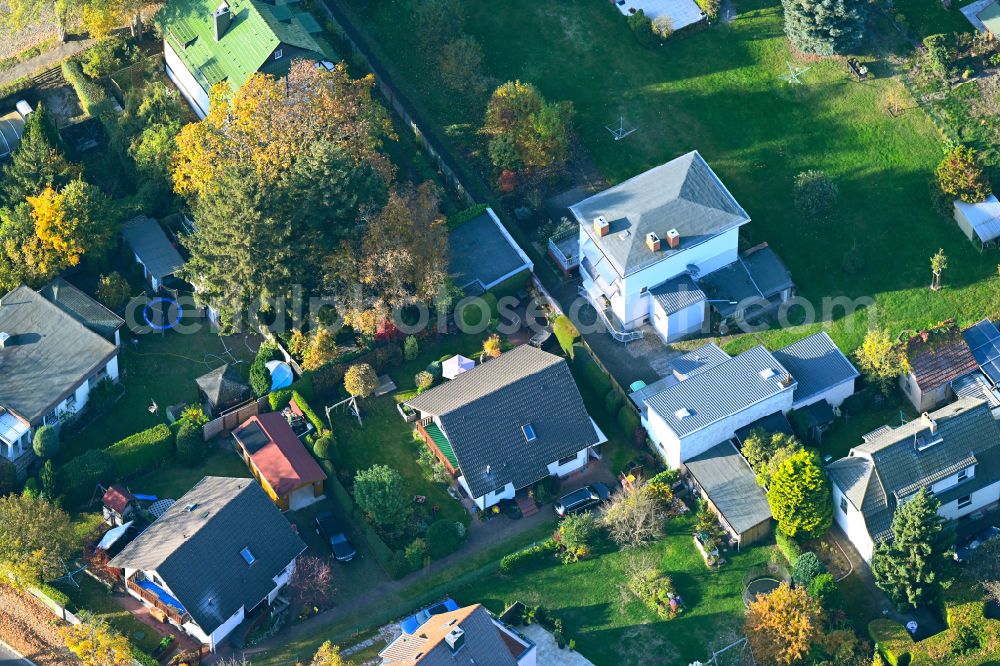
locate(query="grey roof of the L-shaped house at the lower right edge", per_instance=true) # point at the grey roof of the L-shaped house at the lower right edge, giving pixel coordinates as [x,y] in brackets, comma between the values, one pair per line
[896,462]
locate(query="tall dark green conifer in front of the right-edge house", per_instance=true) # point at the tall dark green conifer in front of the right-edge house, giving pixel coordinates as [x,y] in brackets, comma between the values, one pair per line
[909,568]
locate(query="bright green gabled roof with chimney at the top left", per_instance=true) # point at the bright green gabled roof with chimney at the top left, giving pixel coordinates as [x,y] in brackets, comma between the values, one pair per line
[257,29]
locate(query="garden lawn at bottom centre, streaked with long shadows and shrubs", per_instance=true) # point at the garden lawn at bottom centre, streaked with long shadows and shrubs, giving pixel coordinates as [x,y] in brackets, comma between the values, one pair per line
[611,629]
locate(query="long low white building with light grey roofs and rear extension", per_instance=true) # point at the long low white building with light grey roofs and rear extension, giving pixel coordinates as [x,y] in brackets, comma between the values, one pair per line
[709,396]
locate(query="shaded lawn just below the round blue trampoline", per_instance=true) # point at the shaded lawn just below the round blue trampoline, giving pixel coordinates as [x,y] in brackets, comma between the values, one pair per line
[160,368]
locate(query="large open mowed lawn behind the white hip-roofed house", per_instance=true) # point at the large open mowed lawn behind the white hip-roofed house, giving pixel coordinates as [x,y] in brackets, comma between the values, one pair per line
[718,90]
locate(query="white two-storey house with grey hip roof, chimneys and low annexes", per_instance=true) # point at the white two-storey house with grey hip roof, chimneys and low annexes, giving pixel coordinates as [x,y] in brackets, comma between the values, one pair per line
[664,245]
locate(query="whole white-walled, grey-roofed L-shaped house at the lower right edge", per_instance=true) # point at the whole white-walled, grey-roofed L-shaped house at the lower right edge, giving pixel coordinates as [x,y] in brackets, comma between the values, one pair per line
[954,452]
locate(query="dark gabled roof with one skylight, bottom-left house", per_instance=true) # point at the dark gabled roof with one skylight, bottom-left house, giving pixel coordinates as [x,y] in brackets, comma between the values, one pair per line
[196,551]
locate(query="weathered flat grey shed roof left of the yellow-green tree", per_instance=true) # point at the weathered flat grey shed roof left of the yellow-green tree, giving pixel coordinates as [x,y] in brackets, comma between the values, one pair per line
[731,485]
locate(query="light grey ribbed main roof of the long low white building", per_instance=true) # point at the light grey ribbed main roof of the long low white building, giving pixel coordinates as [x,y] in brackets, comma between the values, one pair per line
[721,391]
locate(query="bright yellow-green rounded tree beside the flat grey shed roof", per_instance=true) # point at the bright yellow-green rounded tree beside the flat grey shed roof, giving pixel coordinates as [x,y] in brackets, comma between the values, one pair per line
[800,497]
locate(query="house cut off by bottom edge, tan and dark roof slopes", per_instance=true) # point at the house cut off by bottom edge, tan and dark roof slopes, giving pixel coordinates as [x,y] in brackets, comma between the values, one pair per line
[466,636]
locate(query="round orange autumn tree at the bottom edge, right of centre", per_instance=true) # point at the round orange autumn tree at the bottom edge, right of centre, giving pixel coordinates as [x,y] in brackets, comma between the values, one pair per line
[781,626]
